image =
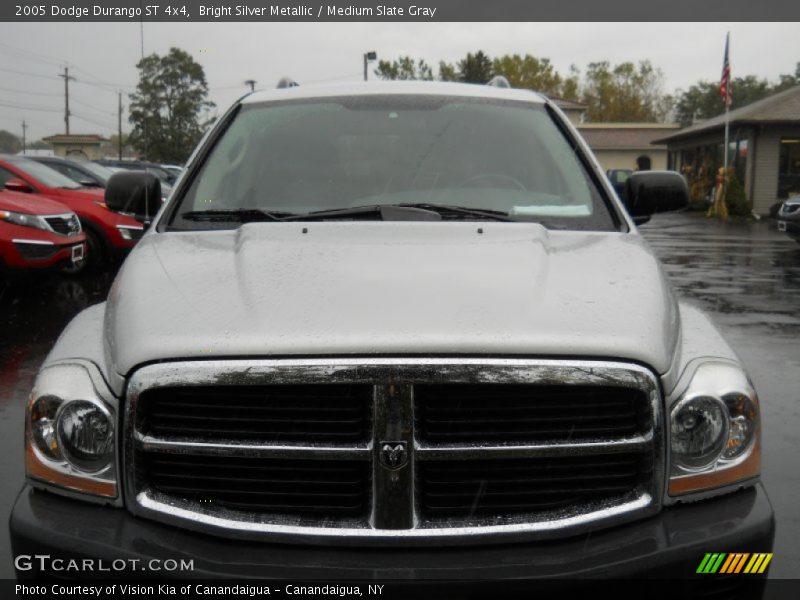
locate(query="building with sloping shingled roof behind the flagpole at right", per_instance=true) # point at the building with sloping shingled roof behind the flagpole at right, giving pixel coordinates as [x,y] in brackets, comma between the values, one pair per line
[763,149]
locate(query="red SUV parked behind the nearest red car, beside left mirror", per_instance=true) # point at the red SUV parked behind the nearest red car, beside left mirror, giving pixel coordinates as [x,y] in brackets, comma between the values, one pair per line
[109,234]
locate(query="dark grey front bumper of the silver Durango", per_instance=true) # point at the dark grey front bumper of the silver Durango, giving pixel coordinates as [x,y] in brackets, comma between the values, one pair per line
[669,545]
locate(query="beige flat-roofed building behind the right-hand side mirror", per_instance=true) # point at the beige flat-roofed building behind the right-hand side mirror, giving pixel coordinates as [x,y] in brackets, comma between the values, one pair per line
[628,145]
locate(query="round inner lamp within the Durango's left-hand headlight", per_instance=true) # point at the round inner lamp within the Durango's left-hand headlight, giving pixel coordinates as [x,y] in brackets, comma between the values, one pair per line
[85,434]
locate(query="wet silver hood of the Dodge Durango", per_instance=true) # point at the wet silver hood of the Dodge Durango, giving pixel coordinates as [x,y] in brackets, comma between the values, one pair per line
[390,288]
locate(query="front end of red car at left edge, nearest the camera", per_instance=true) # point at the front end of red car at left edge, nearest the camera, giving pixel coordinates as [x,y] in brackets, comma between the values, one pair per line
[37,233]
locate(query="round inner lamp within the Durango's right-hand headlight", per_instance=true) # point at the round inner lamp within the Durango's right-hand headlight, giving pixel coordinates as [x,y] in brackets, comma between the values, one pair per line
[699,428]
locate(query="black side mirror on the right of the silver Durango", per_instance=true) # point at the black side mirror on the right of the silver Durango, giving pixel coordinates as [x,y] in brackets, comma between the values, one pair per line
[650,192]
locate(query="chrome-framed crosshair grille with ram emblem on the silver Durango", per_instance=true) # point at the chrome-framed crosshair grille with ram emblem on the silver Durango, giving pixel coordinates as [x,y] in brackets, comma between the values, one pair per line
[453,450]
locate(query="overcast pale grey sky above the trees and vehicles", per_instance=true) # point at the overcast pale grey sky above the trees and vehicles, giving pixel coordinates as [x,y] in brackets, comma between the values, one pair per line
[102,56]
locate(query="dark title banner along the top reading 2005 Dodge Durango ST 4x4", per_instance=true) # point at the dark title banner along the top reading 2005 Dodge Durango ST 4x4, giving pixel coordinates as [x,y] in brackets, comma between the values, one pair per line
[400,10]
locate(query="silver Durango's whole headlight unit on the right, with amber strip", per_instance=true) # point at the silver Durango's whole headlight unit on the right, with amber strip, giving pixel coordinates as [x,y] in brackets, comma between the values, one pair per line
[714,431]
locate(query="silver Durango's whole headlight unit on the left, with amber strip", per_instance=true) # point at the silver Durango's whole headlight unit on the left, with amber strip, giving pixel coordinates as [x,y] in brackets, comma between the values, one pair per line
[70,425]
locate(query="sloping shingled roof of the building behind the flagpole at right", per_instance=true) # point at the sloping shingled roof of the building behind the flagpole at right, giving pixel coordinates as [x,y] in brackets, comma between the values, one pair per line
[783,107]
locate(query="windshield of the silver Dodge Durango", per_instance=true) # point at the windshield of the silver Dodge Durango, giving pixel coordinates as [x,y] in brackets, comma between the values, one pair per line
[322,154]
